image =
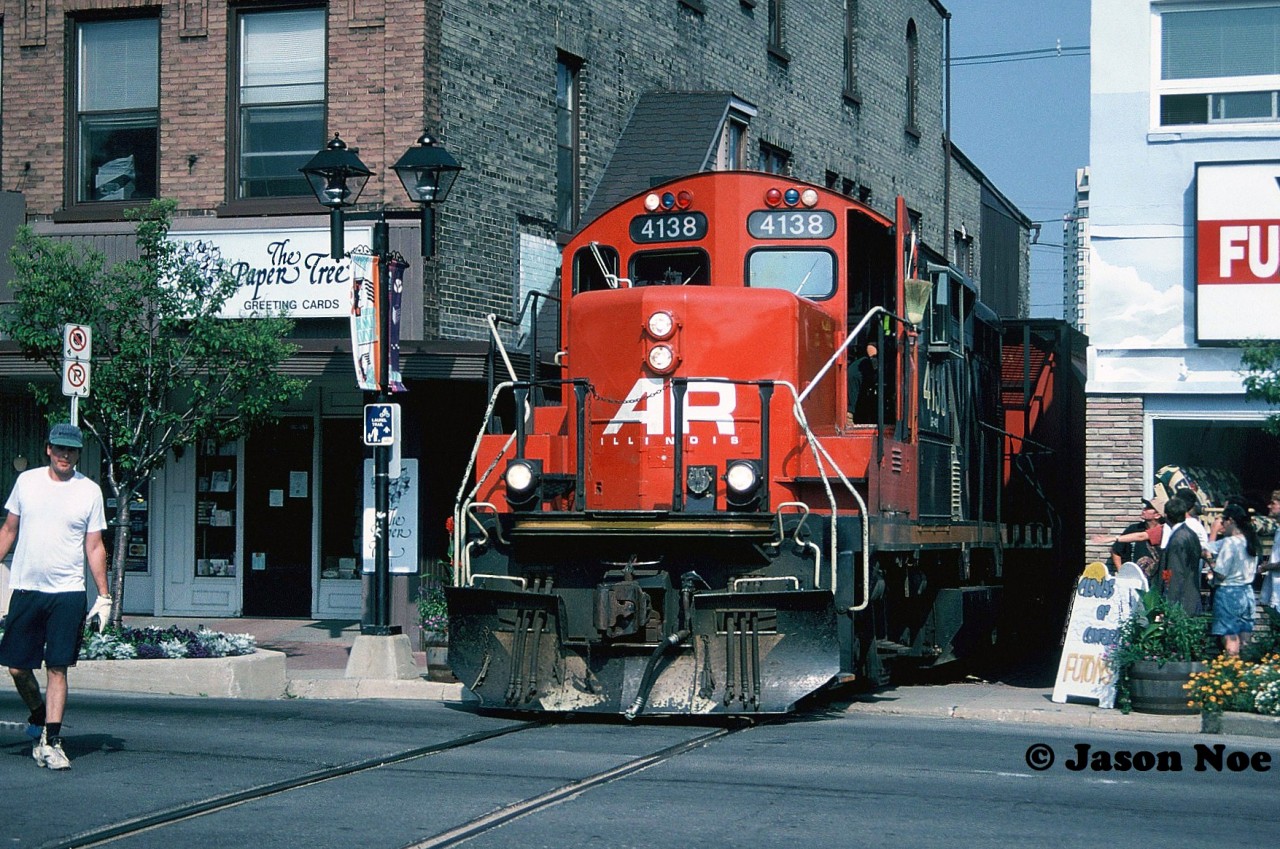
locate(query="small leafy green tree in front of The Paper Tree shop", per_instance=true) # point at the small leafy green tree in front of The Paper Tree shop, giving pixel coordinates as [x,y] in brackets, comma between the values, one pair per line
[166,369]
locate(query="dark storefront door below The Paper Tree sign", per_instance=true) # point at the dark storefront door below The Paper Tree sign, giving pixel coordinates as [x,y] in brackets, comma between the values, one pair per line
[278,510]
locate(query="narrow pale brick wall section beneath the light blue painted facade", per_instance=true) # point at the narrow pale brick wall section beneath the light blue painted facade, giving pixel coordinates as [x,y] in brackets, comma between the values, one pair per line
[1113,468]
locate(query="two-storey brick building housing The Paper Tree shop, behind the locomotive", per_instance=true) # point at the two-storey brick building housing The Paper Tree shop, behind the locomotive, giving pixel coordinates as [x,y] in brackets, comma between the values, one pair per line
[555,109]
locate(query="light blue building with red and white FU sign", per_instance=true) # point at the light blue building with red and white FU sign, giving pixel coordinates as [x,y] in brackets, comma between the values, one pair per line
[1185,214]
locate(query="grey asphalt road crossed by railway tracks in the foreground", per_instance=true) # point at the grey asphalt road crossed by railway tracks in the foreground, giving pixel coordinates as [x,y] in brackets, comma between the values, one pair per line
[826,779]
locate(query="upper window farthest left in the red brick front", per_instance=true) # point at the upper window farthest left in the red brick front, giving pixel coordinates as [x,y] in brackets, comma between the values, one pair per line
[117,109]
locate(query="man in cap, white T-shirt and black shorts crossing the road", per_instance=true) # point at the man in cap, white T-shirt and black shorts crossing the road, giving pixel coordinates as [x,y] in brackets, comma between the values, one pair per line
[56,515]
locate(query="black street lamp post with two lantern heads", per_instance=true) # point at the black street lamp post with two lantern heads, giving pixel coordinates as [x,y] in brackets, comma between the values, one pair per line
[337,177]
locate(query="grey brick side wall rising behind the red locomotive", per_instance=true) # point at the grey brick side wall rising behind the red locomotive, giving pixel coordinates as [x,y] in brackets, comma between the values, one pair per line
[499,104]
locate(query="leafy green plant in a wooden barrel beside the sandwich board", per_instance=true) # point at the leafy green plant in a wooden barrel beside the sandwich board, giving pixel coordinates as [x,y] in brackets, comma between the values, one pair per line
[1159,649]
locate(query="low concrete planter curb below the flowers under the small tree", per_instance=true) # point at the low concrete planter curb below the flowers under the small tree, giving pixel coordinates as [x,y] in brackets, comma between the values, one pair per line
[249,677]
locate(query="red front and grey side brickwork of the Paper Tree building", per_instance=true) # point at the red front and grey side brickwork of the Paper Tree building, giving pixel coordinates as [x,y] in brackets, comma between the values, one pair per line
[482,77]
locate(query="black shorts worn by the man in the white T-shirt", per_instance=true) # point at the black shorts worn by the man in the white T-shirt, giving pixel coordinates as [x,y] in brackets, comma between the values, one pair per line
[43,628]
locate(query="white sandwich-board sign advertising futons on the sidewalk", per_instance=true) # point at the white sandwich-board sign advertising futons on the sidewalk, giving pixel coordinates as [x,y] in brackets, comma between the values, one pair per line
[1100,606]
